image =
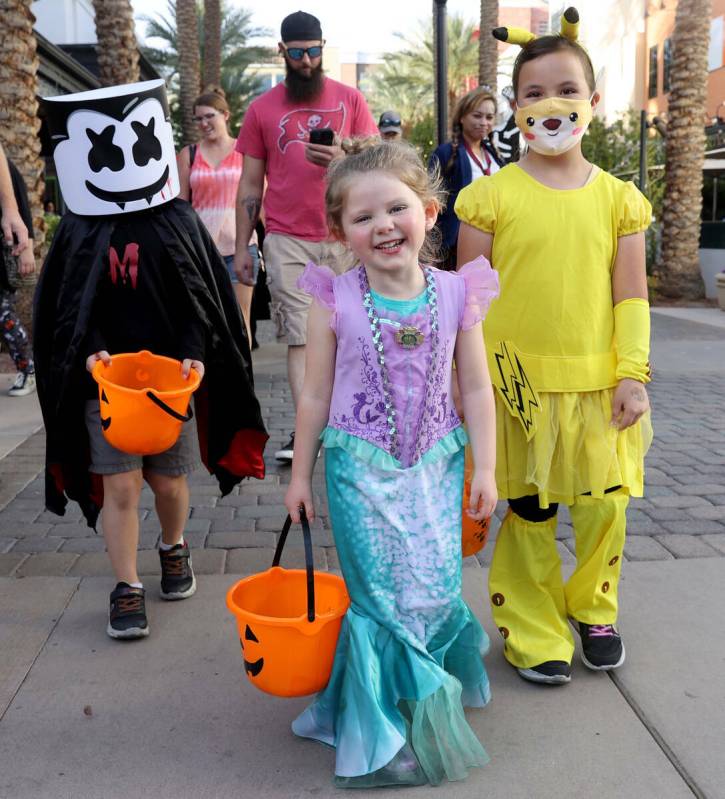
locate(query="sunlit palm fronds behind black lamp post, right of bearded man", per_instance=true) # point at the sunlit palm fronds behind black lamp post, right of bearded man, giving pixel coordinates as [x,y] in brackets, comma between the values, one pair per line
[405,79]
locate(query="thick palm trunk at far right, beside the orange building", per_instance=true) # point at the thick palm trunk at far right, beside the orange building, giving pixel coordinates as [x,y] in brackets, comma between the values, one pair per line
[679,269]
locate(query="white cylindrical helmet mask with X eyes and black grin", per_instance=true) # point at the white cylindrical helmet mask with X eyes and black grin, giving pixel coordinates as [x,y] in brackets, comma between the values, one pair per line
[113,148]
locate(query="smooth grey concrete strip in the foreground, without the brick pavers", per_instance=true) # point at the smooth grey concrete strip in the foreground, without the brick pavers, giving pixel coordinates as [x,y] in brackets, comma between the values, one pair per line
[174,717]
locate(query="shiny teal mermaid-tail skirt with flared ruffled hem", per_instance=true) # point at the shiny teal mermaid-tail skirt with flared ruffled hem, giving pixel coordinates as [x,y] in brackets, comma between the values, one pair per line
[409,656]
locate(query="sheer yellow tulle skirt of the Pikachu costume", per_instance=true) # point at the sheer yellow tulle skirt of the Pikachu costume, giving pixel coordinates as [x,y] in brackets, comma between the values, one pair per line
[574,451]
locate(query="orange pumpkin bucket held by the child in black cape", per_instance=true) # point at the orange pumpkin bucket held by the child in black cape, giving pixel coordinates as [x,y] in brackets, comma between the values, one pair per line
[144,401]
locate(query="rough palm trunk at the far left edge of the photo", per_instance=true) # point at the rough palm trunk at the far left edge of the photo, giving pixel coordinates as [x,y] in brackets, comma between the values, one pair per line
[19,122]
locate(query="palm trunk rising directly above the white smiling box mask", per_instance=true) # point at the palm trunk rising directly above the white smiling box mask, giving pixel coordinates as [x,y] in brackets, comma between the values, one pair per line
[117,46]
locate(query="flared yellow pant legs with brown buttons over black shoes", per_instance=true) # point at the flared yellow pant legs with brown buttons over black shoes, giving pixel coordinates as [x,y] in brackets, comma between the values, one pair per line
[530,601]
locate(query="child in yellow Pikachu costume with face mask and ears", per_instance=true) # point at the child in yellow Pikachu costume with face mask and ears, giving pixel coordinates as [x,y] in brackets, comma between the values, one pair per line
[568,347]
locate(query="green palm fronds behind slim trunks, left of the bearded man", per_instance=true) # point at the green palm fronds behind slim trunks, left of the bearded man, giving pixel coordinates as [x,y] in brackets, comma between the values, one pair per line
[237,55]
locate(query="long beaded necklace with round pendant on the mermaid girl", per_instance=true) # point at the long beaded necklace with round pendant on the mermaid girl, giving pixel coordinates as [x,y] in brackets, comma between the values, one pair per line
[374,319]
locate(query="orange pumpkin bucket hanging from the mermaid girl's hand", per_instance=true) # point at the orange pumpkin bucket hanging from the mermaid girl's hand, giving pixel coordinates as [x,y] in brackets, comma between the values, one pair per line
[289,622]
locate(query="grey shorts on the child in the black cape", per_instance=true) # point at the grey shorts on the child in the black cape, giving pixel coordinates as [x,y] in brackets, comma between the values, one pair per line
[180,459]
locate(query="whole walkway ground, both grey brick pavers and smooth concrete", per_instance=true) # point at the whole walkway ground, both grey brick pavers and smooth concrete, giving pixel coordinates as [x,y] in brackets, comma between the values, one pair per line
[174,716]
